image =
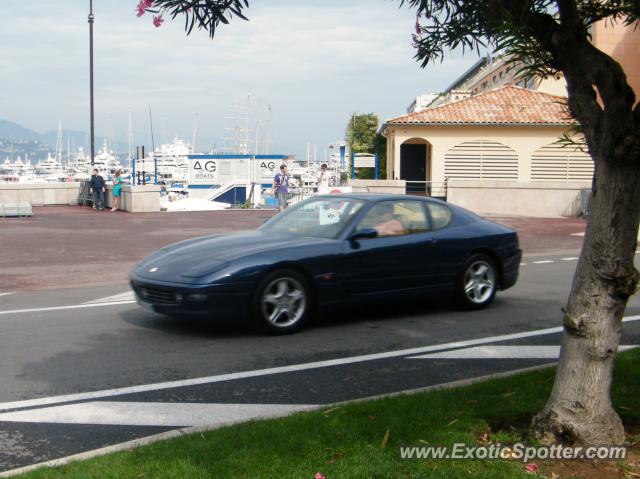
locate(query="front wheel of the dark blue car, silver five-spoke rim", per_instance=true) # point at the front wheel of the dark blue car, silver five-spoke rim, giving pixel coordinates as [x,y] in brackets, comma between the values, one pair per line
[282,302]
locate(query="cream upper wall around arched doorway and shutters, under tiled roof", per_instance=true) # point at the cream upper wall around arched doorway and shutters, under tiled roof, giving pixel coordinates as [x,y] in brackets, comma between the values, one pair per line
[523,139]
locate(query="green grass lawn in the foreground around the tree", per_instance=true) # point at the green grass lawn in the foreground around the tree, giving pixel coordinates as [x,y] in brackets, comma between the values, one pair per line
[361,440]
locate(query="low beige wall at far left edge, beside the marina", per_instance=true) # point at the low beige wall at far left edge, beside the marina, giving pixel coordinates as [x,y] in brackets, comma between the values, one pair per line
[40,194]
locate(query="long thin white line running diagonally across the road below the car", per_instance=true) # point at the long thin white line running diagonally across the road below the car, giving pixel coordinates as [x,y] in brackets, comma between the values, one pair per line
[275,370]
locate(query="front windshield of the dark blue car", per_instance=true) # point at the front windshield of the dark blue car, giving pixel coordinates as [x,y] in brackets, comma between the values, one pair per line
[317,217]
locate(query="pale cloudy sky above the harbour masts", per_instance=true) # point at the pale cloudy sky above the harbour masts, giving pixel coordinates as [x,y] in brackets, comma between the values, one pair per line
[314,62]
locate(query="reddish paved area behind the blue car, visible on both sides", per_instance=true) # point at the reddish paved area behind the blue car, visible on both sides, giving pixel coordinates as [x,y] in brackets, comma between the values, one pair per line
[74,246]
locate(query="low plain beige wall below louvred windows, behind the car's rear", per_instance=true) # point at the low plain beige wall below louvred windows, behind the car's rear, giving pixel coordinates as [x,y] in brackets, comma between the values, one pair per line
[515,198]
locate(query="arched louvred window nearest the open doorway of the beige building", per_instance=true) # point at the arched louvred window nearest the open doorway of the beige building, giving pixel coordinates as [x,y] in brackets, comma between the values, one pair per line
[481,160]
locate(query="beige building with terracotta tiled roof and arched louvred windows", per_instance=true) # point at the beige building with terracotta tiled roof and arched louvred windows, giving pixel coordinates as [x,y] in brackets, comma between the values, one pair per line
[492,152]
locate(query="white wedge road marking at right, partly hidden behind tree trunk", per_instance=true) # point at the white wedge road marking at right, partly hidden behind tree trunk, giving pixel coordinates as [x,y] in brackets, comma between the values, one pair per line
[520,351]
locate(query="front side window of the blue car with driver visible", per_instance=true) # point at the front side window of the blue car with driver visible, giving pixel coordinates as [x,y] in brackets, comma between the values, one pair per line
[396,218]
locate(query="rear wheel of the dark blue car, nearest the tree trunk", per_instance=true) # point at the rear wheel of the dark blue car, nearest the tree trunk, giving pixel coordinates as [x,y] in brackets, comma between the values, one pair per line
[477,283]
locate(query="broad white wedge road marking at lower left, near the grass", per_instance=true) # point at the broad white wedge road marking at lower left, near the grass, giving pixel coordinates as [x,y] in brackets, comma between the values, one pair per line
[116,413]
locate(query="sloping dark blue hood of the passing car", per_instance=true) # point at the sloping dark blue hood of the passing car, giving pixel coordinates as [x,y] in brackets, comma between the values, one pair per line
[199,257]
